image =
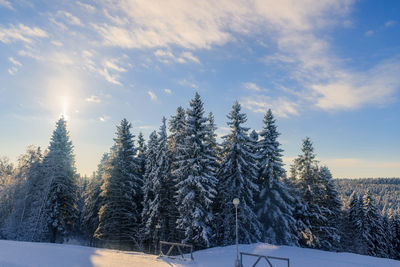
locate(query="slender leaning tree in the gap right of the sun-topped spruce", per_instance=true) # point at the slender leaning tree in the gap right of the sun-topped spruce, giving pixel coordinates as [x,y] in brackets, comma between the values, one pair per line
[93,201]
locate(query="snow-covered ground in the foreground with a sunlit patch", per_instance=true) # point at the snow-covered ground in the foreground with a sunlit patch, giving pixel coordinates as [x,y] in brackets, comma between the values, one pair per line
[21,254]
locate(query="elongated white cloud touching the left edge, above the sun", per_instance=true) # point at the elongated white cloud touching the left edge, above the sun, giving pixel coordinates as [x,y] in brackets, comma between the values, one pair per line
[21,33]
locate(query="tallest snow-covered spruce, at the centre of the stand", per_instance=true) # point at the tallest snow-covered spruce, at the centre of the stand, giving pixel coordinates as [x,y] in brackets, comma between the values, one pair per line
[196,181]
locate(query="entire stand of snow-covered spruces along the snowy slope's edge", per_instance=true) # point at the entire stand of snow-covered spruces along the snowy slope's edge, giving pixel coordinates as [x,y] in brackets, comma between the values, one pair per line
[179,185]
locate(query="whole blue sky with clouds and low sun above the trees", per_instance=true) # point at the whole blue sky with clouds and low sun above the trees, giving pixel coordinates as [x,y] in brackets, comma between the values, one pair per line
[328,69]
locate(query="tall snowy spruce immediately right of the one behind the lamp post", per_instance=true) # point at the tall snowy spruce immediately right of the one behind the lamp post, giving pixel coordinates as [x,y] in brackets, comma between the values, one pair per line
[274,202]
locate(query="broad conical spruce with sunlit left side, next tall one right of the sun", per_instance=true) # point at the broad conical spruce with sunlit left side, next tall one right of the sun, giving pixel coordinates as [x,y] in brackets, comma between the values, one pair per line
[119,216]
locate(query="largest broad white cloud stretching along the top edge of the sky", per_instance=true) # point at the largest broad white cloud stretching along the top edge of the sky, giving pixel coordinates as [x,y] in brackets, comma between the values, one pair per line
[203,24]
